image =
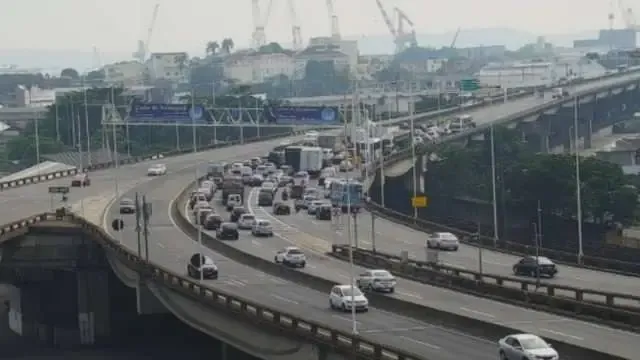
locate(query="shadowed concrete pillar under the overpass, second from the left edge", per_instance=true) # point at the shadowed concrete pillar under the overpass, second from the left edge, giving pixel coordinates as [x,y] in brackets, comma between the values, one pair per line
[93,307]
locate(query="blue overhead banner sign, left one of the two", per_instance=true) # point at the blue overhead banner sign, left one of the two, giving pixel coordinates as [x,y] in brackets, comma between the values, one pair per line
[168,113]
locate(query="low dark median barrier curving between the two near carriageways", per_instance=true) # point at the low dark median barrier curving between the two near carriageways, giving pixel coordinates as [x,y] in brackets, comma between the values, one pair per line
[459,322]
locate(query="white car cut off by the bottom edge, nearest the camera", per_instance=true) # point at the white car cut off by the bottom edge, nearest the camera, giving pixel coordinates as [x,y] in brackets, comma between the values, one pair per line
[526,346]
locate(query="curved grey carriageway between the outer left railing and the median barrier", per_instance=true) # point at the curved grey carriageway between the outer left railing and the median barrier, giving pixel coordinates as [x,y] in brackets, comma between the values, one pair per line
[171,249]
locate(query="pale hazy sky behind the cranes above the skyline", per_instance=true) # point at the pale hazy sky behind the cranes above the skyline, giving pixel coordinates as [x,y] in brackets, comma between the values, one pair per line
[116,25]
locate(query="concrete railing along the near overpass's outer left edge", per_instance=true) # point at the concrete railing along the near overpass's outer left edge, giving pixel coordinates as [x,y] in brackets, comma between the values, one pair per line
[218,300]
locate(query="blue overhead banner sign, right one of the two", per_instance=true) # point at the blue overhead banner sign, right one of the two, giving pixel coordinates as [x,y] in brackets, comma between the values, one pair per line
[304,115]
